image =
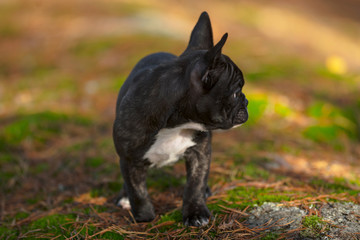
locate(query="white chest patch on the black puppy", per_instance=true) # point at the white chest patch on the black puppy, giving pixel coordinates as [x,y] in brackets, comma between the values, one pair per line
[171,143]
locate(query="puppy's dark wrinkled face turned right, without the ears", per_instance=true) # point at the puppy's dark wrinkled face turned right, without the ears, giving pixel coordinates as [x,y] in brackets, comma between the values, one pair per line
[223,105]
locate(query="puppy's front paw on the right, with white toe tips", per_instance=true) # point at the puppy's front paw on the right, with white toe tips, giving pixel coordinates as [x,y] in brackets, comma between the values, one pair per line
[198,217]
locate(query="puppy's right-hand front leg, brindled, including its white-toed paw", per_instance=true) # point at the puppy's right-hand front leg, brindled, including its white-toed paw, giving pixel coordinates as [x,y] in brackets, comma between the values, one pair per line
[195,211]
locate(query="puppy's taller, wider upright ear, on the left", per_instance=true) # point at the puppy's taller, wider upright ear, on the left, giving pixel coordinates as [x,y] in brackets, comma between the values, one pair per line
[201,37]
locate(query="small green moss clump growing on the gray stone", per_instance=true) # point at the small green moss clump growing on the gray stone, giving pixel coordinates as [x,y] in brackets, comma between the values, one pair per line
[315,226]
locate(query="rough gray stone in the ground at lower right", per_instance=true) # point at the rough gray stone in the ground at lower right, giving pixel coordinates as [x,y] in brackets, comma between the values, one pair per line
[342,219]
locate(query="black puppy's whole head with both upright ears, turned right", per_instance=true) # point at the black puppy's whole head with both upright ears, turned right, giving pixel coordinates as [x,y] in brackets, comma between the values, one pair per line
[215,81]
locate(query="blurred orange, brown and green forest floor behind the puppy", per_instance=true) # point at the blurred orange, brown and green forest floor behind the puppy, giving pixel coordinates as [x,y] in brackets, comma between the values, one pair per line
[63,62]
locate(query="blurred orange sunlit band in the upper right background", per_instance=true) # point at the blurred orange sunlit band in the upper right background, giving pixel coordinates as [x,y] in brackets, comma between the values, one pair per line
[323,37]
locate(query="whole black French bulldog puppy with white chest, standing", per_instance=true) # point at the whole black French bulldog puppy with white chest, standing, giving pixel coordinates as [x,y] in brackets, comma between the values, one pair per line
[166,110]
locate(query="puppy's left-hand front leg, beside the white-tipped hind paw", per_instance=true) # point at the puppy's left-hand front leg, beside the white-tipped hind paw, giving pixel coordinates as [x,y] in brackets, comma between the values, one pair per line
[135,182]
